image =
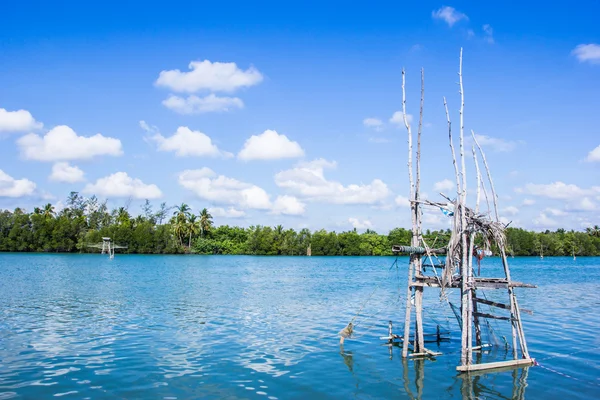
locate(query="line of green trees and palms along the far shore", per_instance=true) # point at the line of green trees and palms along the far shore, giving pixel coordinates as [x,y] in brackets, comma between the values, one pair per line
[176,230]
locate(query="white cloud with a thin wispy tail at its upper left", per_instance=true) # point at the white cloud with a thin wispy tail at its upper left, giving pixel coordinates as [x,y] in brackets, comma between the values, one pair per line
[185,142]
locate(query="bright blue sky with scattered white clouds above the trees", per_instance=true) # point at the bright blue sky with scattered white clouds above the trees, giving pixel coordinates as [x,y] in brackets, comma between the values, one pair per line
[272,113]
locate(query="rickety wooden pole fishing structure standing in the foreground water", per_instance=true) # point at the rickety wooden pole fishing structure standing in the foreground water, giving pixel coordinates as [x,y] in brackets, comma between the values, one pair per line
[469,227]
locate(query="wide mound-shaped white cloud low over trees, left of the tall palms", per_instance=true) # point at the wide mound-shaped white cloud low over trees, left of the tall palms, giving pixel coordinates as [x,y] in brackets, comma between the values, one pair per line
[122,185]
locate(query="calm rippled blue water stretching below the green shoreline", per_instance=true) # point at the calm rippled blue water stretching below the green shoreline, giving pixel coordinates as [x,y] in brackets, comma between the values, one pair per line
[178,327]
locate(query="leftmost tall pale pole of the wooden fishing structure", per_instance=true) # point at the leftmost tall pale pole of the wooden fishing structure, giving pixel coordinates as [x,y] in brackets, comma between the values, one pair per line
[413,208]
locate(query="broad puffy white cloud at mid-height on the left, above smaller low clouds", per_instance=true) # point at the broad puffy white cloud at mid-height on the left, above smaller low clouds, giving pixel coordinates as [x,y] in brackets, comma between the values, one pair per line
[62,143]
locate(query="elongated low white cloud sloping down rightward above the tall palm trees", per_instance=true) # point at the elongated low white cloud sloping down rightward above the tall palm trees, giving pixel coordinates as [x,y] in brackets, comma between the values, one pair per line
[207,185]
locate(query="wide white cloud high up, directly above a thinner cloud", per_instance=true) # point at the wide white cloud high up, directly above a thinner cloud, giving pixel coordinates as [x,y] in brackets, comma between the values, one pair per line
[206,75]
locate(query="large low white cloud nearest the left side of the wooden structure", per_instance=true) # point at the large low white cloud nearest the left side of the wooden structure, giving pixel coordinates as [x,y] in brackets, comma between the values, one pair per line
[307,181]
